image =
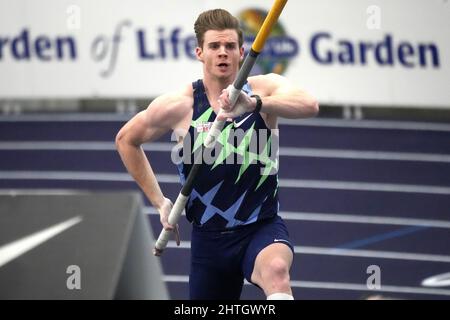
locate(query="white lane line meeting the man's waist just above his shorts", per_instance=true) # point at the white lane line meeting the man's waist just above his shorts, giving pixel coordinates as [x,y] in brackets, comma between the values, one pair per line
[345,218]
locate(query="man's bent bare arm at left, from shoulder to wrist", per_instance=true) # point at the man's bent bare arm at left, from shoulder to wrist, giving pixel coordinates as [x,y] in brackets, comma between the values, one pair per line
[163,114]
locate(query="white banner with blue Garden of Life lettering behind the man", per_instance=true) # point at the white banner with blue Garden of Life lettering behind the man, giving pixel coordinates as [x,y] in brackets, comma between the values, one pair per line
[109,38]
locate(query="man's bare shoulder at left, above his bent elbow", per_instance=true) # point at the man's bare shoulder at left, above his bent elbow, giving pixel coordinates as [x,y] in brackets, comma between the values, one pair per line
[168,110]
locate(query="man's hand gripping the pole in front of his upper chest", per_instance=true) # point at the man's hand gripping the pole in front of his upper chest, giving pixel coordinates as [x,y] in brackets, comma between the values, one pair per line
[243,104]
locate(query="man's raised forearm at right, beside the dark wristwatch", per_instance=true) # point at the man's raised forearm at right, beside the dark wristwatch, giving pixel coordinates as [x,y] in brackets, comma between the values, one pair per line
[291,106]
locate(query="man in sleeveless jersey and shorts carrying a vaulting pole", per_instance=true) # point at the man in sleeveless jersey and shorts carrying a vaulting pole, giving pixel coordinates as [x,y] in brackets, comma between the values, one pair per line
[237,232]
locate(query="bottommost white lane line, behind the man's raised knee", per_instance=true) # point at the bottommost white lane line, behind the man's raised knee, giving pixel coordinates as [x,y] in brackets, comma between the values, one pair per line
[337,286]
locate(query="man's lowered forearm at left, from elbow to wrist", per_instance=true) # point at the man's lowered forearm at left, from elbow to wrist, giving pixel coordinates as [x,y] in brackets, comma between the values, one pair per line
[137,164]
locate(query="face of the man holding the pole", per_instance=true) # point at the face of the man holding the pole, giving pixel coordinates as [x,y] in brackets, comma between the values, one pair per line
[221,54]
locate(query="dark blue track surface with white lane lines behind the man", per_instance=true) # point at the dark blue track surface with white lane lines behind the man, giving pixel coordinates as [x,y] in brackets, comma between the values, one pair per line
[357,197]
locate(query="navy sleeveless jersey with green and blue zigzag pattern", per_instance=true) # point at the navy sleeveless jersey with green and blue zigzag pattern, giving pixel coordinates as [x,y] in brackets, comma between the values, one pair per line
[237,183]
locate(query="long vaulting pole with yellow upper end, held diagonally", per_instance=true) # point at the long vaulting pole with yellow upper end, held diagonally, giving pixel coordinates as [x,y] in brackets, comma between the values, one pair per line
[216,128]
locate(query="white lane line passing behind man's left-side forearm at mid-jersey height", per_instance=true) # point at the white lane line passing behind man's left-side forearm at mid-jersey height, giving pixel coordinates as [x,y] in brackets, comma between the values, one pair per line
[172,178]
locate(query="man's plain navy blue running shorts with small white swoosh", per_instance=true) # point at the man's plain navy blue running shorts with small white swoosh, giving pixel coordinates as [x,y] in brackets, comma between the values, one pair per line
[220,260]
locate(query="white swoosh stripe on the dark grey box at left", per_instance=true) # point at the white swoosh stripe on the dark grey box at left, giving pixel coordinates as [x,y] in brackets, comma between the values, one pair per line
[15,249]
